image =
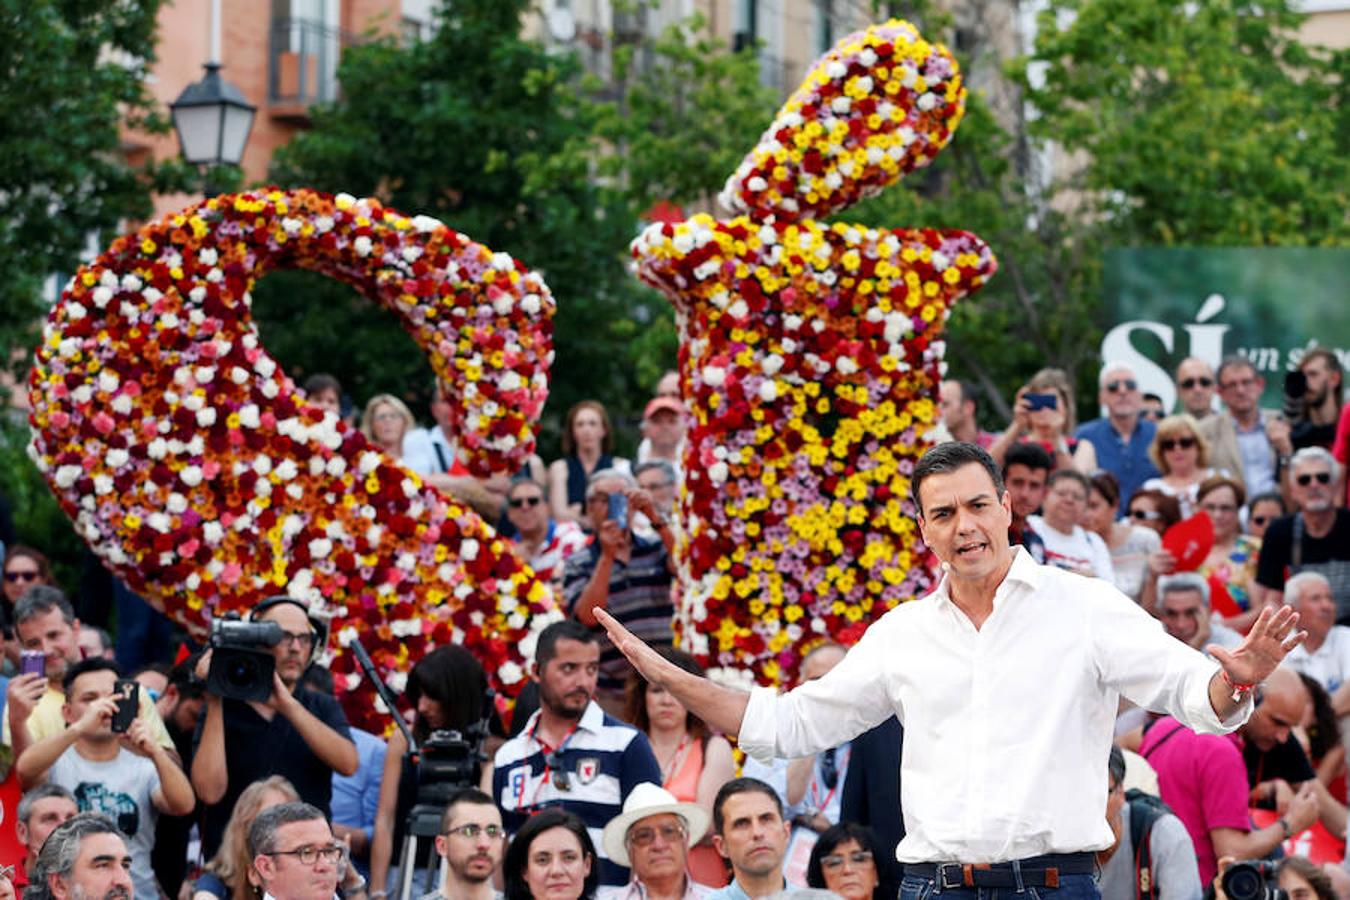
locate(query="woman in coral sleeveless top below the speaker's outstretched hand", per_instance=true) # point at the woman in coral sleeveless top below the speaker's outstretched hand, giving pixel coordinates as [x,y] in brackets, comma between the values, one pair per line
[695,763]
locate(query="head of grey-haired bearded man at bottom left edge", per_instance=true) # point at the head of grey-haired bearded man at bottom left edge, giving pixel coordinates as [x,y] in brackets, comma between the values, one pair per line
[84,859]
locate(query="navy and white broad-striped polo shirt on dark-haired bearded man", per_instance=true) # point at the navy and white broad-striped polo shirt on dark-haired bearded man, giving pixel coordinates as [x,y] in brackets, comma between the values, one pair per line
[604,760]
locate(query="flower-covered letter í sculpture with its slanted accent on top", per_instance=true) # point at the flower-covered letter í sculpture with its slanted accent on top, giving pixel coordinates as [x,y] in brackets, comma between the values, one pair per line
[809,358]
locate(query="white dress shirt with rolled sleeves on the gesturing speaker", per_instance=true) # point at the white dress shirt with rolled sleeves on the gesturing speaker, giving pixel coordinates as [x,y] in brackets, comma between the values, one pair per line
[1006,728]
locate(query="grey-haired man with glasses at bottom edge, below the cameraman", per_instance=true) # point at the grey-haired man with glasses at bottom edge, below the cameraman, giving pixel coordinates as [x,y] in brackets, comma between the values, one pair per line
[295,853]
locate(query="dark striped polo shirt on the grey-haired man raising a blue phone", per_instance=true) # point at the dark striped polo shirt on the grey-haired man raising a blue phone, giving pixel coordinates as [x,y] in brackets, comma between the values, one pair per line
[639,598]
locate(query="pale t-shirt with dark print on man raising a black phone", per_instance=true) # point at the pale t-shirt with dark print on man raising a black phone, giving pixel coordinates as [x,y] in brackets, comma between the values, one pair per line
[122,790]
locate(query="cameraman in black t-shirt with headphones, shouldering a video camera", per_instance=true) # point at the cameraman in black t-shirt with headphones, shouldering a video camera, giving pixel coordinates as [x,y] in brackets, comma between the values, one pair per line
[252,731]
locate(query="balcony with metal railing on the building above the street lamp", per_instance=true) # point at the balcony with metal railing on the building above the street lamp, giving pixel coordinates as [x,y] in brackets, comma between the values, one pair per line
[303,64]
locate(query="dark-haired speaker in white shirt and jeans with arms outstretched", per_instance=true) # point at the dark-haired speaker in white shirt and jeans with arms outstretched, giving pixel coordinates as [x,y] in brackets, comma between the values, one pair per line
[1006,679]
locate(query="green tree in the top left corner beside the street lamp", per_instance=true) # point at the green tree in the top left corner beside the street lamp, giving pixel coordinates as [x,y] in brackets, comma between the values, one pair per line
[72,80]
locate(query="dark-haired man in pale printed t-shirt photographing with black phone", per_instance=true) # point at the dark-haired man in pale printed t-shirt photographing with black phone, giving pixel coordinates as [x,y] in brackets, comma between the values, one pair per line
[125,775]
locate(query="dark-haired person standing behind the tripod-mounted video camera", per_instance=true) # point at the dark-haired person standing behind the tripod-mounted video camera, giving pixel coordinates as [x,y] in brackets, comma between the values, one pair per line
[448,690]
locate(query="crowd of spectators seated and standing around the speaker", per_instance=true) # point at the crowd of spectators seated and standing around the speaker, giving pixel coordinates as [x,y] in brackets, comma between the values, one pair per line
[601,783]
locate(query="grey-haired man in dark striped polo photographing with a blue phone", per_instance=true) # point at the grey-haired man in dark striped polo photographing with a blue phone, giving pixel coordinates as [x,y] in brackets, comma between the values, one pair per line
[622,573]
